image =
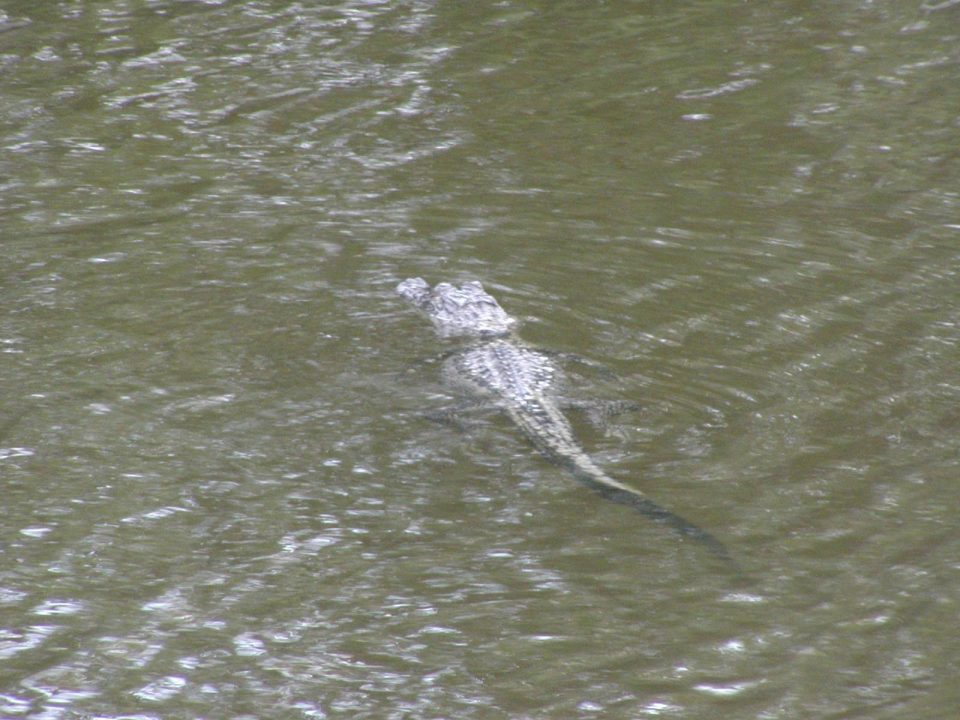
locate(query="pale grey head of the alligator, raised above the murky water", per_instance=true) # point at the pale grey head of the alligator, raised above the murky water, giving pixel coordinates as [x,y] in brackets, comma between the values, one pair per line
[458,311]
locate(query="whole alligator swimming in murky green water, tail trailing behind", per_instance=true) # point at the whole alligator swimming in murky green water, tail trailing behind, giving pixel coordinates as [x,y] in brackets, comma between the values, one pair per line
[502,372]
